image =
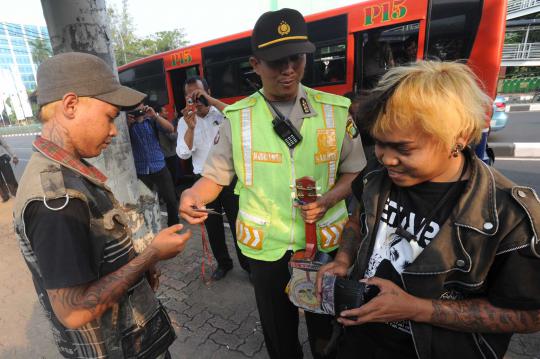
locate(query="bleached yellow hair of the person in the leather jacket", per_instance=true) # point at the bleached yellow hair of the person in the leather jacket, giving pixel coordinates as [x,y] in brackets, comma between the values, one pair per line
[440,99]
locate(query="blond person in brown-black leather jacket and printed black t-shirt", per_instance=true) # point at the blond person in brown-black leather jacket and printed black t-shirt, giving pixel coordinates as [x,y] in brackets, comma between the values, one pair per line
[448,246]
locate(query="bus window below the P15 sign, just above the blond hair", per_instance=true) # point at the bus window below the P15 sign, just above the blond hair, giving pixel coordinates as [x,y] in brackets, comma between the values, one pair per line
[381,49]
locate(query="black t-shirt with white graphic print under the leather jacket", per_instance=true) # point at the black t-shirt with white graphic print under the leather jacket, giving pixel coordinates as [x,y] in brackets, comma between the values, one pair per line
[411,208]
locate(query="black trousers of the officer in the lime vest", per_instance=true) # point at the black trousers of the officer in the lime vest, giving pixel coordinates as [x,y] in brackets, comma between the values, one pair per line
[279,317]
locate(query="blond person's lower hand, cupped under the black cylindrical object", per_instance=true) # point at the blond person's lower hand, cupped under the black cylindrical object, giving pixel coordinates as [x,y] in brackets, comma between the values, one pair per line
[390,305]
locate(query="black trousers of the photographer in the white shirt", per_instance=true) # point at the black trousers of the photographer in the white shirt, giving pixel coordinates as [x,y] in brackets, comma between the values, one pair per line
[226,202]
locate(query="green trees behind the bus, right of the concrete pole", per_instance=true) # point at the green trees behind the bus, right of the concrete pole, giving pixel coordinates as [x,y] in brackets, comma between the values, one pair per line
[129,47]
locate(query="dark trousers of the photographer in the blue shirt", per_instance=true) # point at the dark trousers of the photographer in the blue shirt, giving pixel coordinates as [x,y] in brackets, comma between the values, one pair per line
[161,182]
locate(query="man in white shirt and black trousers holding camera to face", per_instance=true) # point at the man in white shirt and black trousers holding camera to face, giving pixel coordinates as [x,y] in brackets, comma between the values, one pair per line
[198,131]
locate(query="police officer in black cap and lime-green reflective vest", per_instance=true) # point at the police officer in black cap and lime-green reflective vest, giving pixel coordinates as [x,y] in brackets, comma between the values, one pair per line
[270,226]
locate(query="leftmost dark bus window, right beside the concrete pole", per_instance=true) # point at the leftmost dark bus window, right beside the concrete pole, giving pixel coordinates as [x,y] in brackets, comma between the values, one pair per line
[148,78]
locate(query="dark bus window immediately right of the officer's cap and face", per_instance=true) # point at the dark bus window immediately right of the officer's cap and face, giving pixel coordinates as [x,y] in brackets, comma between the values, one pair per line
[327,65]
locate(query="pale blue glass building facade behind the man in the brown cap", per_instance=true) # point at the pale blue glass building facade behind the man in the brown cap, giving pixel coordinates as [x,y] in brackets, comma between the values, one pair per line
[16,50]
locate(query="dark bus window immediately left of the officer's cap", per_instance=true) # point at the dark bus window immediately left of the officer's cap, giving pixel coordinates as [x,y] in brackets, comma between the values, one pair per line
[225,66]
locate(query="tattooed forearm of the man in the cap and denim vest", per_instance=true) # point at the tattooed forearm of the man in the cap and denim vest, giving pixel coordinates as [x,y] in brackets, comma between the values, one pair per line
[103,293]
